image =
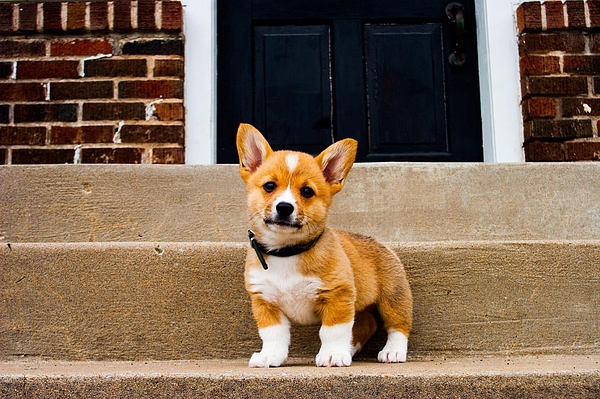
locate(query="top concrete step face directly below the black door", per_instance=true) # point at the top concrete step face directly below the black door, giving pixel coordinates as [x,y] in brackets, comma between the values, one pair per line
[392,202]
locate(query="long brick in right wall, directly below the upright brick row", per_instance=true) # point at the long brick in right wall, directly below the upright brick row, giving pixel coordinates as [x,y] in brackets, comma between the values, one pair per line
[570,42]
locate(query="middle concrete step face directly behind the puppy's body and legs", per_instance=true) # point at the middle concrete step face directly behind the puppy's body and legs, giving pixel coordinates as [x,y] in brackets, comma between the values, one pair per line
[139,301]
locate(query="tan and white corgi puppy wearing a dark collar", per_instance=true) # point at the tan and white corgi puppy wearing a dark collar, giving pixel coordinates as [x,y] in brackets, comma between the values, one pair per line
[300,271]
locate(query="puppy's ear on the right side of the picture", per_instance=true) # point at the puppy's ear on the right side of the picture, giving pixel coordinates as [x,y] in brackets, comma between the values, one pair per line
[336,161]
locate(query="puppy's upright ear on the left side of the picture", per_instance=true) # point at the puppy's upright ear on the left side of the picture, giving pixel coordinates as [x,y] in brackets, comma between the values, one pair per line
[253,149]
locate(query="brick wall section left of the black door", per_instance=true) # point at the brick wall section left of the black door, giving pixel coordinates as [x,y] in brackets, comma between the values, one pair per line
[91,82]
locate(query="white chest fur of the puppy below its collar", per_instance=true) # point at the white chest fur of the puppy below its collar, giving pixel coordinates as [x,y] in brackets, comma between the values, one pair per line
[284,286]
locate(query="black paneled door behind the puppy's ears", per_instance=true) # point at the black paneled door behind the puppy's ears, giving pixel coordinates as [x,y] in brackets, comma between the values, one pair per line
[399,76]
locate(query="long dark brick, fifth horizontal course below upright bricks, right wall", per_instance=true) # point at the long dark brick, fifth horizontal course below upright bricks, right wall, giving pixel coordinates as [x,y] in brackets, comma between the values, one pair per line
[558,129]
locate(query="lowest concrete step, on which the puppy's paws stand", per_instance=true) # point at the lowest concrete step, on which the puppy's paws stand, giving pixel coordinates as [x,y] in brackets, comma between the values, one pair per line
[505,377]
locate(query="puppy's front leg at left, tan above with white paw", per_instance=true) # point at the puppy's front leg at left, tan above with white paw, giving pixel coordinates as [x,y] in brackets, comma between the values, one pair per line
[274,330]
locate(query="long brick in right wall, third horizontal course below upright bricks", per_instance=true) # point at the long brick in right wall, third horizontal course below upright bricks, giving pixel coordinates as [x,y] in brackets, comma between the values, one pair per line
[554,86]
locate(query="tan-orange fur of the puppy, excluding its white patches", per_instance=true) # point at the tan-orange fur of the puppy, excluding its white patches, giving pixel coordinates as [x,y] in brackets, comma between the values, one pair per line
[357,274]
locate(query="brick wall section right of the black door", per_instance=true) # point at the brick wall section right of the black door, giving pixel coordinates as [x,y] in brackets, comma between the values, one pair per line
[559,47]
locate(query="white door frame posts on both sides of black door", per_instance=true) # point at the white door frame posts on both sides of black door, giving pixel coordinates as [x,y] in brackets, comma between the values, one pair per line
[498,74]
